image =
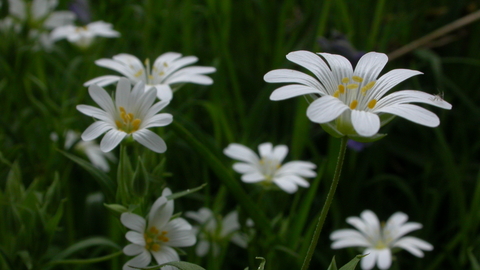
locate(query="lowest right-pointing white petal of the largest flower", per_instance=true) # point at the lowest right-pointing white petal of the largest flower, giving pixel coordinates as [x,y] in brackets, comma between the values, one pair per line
[413,113]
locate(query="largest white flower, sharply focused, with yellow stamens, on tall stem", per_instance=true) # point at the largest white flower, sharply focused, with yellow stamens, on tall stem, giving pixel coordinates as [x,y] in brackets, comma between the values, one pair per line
[350,101]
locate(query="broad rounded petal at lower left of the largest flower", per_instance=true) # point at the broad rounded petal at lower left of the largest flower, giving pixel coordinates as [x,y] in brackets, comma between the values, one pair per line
[325,109]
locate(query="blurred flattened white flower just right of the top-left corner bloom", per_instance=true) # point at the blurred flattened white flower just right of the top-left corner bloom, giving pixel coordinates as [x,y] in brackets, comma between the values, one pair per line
[83,36]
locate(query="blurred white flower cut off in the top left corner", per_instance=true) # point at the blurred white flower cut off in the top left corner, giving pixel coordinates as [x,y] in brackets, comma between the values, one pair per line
[38,16]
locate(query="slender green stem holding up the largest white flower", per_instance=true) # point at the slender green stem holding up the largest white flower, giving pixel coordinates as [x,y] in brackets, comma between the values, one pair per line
[328,202]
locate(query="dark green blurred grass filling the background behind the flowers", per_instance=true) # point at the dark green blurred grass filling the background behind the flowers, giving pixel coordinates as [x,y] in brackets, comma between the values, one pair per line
[430,174]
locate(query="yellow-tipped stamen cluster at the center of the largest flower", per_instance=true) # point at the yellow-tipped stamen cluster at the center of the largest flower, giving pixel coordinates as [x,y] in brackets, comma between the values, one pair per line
[352,91]
